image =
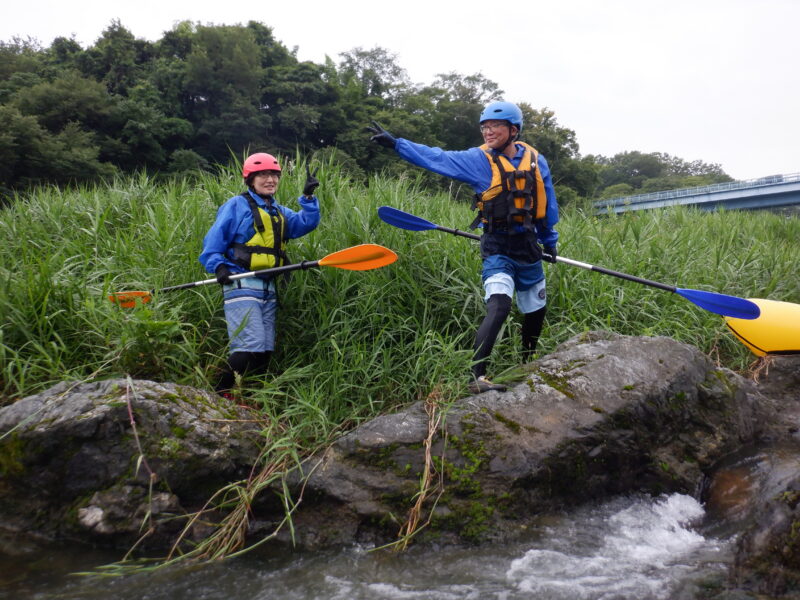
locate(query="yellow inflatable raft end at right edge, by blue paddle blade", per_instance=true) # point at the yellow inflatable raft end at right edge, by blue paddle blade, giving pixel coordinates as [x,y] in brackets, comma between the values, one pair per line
[775,331]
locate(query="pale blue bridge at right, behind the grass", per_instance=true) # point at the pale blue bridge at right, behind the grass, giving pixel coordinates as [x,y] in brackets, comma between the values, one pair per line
[775,192]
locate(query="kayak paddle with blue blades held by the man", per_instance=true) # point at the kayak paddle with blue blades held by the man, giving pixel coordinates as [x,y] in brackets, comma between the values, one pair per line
[721,304]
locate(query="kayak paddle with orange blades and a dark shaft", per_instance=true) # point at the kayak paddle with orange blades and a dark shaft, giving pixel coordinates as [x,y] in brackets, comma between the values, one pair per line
[356,258]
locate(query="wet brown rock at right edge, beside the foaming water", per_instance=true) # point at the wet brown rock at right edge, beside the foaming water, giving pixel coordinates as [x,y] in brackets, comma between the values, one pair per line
[755,491]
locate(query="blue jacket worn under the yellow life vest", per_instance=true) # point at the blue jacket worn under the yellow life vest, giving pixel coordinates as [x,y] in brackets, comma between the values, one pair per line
[234,224]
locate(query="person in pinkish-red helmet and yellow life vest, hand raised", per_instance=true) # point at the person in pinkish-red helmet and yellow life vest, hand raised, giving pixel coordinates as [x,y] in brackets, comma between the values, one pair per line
[250,234]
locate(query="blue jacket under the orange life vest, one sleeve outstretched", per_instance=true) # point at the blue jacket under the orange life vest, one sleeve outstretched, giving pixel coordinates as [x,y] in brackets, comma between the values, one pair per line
[472,167]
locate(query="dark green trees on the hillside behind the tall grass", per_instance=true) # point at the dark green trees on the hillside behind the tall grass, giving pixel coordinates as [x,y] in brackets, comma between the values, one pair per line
[203,93]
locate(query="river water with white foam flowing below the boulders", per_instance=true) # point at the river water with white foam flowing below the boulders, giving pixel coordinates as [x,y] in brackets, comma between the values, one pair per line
[635,547]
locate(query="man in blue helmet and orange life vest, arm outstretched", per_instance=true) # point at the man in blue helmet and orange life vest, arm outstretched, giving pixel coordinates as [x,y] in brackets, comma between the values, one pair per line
[517,210]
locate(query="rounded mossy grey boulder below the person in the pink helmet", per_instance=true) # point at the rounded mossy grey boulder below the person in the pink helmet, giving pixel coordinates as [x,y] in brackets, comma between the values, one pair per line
[105,462]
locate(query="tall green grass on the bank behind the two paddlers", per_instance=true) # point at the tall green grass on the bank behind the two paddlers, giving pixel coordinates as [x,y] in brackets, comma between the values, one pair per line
[351,344]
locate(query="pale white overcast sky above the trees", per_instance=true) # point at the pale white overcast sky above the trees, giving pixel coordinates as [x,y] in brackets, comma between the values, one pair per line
[714,80]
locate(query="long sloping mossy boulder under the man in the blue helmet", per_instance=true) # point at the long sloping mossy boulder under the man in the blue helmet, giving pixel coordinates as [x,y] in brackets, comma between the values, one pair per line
[604,414]
